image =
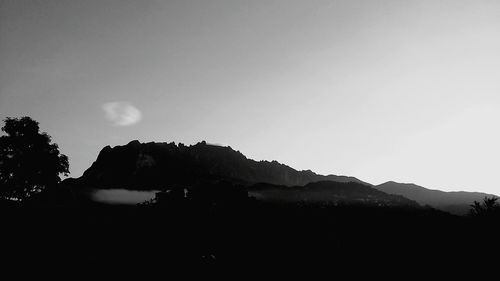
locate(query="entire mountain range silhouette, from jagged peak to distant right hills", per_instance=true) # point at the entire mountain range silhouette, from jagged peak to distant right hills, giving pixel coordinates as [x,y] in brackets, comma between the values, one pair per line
[160,166]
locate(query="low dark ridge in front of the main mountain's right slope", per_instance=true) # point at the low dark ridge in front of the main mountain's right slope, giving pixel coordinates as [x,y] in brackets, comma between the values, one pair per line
[329,192]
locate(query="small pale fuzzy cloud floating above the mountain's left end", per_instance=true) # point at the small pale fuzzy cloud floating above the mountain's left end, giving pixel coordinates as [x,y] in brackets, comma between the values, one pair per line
[122,113]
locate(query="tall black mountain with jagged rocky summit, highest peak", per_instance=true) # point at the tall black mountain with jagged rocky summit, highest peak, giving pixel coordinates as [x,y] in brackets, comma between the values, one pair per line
[153,166]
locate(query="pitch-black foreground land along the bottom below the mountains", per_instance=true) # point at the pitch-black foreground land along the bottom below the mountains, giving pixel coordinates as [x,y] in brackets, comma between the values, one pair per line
[246,237]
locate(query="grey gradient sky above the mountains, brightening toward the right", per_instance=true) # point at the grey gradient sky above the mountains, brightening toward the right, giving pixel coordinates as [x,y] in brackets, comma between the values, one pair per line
[407,91]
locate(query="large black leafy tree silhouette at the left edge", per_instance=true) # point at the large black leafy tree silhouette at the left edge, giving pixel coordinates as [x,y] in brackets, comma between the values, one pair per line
[29,162]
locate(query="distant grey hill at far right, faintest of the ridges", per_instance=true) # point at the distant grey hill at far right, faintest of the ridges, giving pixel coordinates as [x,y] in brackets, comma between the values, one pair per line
[456,202]
